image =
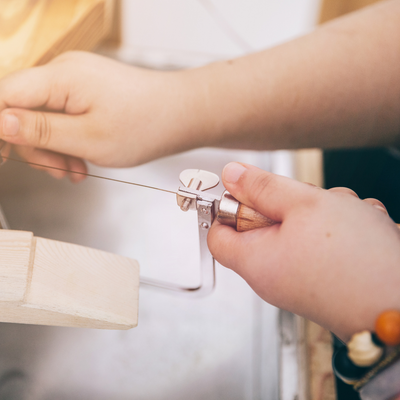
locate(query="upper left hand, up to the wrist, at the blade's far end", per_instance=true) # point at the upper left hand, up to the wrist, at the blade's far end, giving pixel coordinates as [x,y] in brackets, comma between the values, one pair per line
[82,106]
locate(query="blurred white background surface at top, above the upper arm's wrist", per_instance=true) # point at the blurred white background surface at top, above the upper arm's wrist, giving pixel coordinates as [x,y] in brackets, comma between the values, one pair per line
[179,33]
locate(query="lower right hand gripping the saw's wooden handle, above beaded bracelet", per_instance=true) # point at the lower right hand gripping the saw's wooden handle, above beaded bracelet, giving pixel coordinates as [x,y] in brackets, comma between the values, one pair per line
[332,258]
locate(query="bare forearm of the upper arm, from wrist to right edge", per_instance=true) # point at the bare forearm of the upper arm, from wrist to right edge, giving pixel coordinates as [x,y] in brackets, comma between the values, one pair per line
[336,87]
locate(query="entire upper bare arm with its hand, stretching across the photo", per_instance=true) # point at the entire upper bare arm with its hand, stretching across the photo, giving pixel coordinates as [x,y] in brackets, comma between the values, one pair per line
[336,87]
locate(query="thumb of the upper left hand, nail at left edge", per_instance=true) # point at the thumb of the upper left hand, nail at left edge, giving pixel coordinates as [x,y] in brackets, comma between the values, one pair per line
[45,130]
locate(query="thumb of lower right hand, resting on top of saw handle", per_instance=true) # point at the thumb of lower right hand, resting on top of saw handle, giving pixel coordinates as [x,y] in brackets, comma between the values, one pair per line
[272,195]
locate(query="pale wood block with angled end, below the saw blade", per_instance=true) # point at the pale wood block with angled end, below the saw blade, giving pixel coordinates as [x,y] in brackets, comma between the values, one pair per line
[47,282]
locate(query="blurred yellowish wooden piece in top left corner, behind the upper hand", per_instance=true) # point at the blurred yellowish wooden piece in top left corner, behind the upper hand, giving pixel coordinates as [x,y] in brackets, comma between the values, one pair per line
[32,32]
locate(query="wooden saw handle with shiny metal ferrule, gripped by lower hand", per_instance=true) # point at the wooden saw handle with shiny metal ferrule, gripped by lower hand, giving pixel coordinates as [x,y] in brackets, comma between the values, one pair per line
[233,213]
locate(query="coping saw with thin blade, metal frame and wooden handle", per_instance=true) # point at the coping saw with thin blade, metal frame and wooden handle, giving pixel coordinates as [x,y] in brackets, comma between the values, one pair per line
[192,196]
